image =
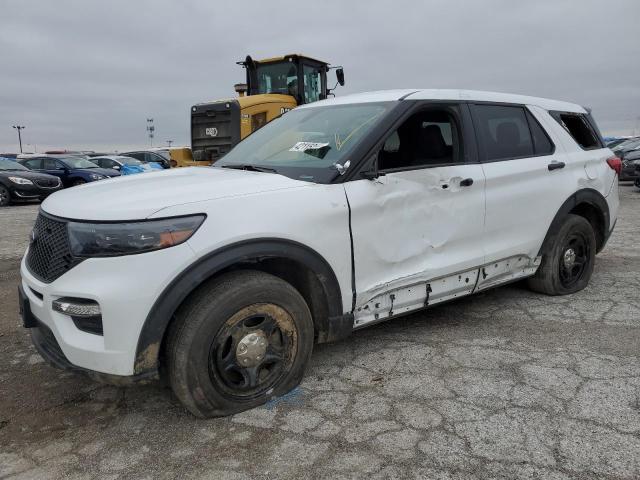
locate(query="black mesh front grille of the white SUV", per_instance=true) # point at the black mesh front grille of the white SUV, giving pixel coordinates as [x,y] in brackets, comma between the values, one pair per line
[49,254]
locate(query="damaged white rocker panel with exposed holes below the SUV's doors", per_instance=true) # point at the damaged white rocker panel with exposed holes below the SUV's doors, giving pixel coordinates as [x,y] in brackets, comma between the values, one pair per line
[422,294]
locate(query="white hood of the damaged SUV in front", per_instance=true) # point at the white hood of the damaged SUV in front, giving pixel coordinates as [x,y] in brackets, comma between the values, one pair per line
[135,197]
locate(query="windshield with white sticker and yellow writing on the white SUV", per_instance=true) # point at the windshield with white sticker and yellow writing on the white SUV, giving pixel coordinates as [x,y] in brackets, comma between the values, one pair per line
[307,143]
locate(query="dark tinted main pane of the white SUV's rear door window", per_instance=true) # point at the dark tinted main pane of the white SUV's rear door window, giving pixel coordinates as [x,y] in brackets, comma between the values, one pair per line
[504,131]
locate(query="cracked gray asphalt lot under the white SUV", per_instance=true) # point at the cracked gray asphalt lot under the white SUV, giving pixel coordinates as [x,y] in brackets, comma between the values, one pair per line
[507,384]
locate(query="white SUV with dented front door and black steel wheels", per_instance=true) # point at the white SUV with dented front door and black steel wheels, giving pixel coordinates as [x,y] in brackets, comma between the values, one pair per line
[335,216]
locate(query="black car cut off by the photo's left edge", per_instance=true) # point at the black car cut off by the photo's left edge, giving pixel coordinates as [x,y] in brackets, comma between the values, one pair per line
[18,183]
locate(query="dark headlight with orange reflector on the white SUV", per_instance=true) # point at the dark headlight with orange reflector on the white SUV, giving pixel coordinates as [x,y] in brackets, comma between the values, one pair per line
[111,239]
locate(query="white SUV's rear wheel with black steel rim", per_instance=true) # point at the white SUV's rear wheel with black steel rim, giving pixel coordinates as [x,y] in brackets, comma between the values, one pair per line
[568,258]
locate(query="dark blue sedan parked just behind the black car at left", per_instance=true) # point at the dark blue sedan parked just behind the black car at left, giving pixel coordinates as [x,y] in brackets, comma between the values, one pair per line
[72,170]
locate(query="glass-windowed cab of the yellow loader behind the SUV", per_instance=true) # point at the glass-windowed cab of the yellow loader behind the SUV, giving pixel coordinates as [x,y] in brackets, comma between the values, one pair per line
[303,78]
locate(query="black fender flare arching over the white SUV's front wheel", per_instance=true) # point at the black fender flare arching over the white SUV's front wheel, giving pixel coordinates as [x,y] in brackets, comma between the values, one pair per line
[161,314]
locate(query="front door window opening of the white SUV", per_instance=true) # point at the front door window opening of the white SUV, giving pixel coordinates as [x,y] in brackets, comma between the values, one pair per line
[428,138]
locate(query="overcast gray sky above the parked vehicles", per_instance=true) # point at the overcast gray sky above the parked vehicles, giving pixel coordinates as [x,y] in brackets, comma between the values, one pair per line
[87,73]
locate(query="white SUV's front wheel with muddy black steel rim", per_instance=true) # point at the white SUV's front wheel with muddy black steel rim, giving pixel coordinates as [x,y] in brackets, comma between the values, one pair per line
[229,320]
